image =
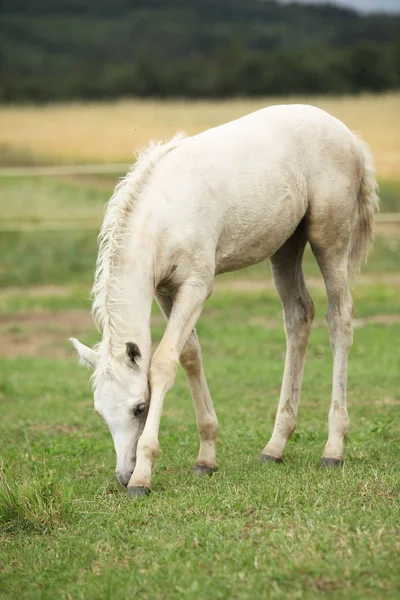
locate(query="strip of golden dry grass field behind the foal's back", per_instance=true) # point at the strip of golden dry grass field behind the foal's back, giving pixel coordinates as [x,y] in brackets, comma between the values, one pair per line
[109,132]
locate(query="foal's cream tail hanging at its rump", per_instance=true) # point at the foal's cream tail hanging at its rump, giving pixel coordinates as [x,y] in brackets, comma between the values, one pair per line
[362,239]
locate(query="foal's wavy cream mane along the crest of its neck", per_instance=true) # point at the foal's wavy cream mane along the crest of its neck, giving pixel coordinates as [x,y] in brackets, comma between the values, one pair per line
[113,230]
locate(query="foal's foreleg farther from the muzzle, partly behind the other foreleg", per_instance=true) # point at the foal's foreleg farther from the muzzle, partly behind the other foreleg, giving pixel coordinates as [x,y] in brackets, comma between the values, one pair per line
[206,418]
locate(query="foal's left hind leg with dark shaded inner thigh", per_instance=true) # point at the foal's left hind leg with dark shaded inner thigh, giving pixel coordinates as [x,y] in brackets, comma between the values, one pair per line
[298,314]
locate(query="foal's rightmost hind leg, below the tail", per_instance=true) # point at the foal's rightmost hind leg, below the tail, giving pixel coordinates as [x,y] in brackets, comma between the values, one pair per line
[339,316]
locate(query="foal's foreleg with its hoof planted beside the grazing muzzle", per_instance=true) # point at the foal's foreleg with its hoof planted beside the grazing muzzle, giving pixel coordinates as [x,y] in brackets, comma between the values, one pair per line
[185,311]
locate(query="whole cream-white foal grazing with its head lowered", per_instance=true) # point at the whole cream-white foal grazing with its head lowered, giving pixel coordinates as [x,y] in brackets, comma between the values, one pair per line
[257,188]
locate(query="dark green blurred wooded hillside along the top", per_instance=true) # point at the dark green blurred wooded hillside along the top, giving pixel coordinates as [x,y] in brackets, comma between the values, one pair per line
[192,48]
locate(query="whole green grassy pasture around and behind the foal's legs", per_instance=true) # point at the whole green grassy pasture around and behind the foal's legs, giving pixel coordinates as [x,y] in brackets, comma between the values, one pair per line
[67,530]
